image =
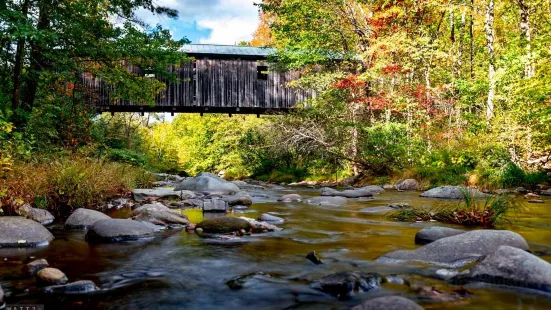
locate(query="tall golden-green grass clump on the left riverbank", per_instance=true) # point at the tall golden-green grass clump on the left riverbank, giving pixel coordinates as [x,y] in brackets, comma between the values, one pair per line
[67,183]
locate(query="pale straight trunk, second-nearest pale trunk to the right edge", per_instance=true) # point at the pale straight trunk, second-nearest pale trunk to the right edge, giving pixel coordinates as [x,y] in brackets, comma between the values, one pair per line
[490,38]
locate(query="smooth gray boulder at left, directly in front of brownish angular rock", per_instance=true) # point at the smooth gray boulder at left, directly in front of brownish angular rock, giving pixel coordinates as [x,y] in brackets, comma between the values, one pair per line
[117,230]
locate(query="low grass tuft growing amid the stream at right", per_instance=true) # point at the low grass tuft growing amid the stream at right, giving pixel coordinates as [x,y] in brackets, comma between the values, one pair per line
[471,211]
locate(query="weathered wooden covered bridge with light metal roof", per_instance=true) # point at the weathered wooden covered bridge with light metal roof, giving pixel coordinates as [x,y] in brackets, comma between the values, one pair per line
[220,79]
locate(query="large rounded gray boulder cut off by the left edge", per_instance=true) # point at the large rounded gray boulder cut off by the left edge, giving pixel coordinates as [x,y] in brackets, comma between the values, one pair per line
[19,232]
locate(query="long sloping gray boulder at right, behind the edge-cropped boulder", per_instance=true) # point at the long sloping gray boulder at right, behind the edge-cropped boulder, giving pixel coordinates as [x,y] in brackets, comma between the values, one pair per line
[458,250]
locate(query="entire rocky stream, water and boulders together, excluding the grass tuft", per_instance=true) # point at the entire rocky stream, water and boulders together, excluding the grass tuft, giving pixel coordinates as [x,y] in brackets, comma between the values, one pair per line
[213,244]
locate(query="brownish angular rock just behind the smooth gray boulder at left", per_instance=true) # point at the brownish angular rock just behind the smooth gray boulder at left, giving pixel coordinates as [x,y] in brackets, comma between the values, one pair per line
[159,214]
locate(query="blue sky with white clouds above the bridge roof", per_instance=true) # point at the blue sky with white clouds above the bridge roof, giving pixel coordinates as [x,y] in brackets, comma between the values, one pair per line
[208,21]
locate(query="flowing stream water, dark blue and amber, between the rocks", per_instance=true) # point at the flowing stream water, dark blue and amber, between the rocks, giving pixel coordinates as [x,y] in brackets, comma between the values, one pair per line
[180,270]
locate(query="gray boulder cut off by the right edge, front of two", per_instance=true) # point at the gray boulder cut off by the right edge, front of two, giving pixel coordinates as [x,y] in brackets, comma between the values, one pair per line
[510,266]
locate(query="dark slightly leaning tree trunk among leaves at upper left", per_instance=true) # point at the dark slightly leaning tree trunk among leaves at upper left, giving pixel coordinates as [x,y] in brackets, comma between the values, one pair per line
[37,60]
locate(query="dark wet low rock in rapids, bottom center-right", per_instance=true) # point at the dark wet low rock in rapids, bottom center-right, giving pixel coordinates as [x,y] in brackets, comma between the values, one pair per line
[344,285]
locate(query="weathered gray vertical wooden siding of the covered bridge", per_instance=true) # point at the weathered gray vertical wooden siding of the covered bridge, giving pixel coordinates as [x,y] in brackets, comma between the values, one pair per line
[223,84]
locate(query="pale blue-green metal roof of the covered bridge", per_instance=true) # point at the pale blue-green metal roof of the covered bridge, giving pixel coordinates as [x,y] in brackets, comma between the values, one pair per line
[213,49]
